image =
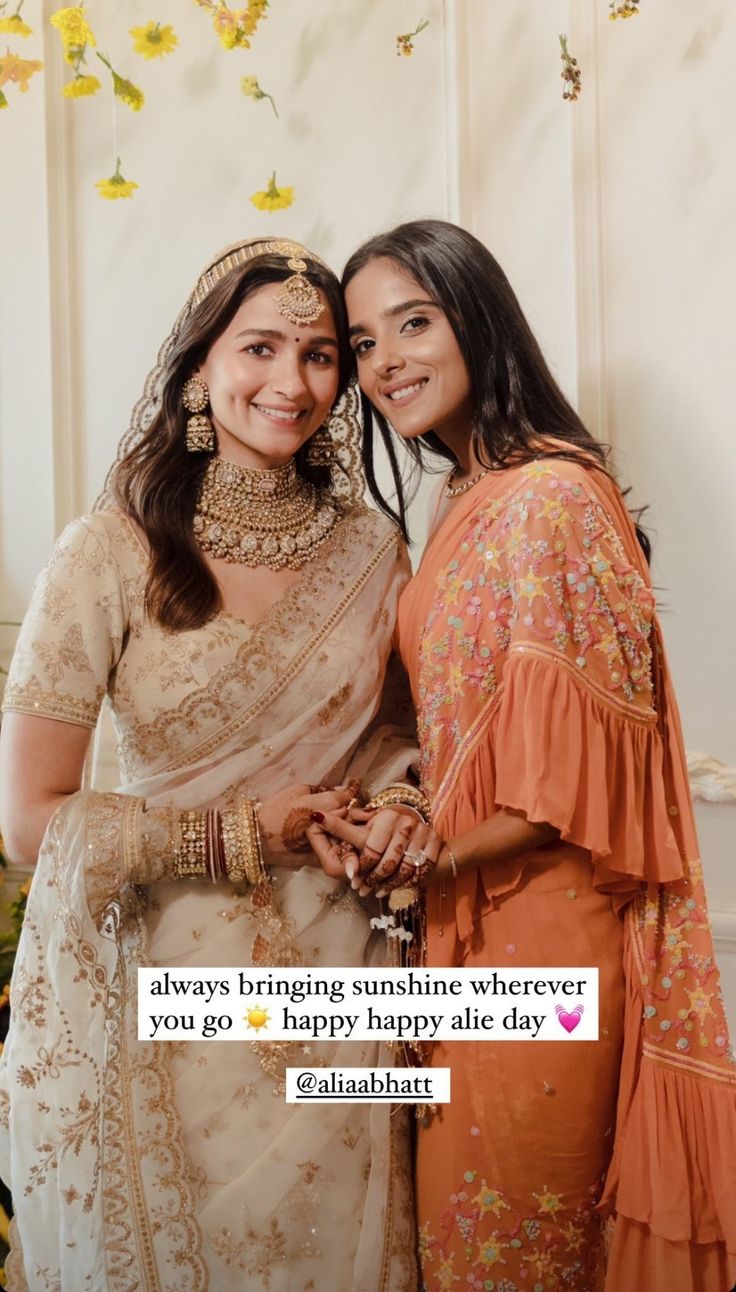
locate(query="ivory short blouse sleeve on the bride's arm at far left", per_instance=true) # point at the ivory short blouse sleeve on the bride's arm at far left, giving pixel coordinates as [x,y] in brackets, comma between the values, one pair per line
[73,634]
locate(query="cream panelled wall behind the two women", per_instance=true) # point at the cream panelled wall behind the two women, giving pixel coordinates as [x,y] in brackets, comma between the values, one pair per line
[613,216]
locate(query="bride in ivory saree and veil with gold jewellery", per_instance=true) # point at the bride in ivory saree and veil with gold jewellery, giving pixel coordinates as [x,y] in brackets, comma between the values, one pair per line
[234,599]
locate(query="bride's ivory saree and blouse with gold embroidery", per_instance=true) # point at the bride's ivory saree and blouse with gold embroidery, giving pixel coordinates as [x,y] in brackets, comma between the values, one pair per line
[179,1167]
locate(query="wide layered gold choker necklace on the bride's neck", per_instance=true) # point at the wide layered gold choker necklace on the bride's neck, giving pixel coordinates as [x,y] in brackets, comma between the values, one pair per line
[261,517]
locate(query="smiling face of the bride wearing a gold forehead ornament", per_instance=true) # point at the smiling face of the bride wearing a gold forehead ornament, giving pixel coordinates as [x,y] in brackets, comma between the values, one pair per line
[272,383]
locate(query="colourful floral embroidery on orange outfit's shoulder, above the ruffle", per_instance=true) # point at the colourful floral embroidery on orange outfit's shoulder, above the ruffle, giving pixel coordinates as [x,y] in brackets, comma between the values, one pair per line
[542,569]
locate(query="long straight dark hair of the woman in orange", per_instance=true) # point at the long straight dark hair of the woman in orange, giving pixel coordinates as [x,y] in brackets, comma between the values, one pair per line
[517,404]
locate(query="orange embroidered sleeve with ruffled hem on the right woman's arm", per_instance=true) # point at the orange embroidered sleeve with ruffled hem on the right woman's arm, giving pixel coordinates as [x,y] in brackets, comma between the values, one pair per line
[578,738]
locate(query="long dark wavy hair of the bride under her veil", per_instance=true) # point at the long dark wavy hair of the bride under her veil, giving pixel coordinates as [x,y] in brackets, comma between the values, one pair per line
[158,483]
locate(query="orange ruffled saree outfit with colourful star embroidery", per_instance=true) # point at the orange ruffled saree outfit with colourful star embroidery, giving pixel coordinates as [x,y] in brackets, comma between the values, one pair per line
[540,683]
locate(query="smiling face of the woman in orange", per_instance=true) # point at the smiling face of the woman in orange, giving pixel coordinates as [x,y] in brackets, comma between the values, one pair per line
[410,364]
